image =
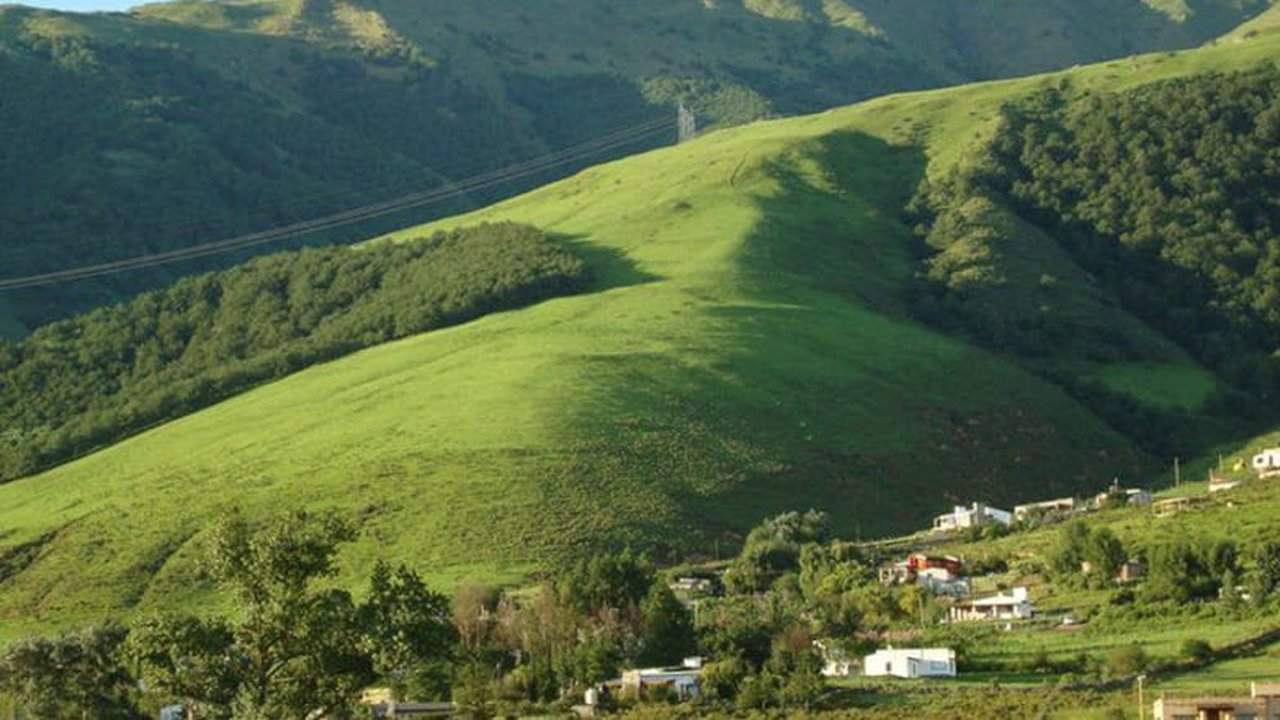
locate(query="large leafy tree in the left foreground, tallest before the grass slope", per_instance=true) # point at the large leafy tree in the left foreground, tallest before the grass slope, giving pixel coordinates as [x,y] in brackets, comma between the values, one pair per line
[296,648]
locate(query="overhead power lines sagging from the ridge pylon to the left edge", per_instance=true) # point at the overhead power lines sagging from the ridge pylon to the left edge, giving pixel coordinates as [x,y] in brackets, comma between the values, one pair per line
[611,142]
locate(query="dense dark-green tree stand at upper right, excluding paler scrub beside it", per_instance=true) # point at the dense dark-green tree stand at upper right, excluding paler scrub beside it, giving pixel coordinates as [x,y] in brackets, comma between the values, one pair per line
[1169,197]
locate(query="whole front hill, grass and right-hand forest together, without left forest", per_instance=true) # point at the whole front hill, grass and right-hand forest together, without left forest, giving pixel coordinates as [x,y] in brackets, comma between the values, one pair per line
[793,313]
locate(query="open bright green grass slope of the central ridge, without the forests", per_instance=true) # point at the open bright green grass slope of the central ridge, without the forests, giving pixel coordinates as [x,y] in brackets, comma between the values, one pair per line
[744,353]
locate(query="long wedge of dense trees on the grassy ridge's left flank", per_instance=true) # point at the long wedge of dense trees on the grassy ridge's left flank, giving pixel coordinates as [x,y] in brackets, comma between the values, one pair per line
[90,381]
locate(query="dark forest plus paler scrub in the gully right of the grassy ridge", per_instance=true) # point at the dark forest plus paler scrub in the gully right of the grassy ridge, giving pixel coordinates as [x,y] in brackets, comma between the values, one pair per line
[1167,198]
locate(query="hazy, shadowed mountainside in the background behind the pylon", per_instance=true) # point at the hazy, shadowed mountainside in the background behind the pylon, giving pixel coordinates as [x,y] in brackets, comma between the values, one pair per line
[181,124]
